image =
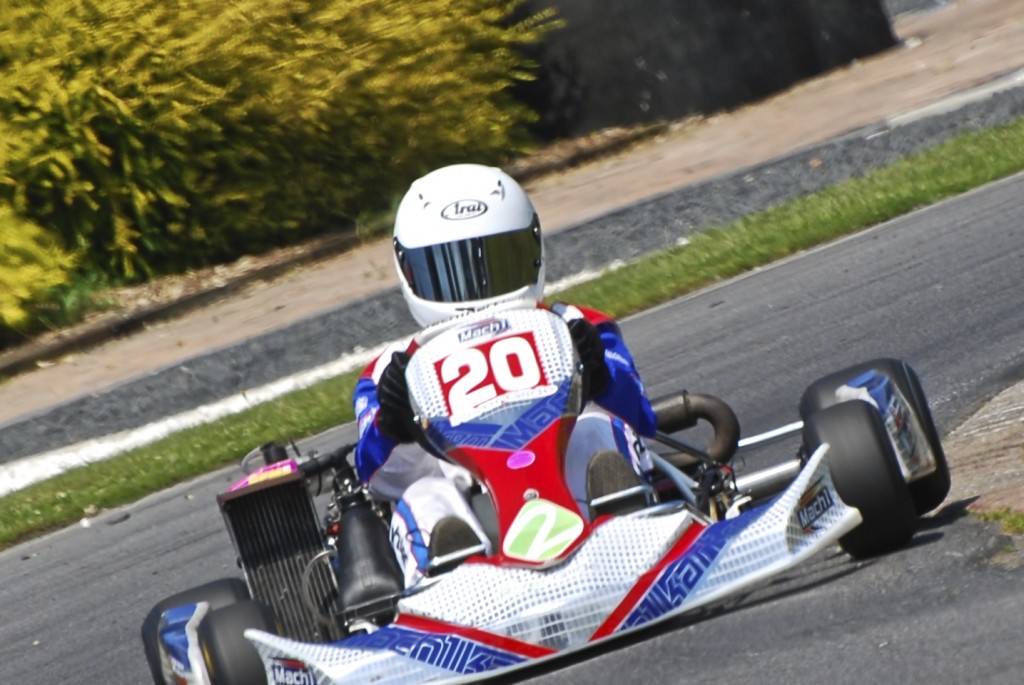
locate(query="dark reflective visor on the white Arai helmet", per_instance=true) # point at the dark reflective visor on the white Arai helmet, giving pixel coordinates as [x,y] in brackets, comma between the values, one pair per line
[474,269]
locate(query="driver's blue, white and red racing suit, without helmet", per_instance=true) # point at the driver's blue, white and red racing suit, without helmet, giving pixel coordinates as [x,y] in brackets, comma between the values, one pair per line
[426,490]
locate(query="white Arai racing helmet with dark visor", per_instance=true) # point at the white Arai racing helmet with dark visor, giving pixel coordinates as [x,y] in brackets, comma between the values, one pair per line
[466,237]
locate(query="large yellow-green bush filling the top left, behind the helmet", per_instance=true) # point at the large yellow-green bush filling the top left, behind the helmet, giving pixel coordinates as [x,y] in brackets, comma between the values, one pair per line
[154,137]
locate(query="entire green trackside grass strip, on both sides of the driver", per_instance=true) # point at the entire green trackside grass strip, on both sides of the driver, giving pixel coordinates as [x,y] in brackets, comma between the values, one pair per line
[966,162]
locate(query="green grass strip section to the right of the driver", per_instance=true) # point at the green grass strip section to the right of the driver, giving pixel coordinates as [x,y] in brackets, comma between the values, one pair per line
[964,163]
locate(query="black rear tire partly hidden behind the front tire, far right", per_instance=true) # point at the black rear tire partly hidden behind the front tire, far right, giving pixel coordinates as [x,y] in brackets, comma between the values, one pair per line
[928,493]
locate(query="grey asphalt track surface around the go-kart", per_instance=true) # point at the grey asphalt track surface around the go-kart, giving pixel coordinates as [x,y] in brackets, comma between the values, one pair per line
[941,288]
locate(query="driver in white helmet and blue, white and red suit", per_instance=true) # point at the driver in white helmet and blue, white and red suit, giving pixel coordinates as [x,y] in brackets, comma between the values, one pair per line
[467,237]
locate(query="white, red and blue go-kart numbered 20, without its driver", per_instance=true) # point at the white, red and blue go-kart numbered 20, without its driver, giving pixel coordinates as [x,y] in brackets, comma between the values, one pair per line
[498,393]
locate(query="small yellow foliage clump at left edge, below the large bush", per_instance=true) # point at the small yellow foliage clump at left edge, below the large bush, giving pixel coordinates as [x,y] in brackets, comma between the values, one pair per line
[31,265]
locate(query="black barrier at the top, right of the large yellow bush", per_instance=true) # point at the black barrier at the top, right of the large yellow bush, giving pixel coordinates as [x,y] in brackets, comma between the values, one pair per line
[628,62]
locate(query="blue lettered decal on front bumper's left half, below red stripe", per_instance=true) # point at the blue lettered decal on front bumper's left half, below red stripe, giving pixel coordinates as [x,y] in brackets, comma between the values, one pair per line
[442,651]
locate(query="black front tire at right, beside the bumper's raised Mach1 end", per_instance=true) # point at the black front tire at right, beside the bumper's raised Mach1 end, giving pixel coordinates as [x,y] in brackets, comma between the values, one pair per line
[867,476]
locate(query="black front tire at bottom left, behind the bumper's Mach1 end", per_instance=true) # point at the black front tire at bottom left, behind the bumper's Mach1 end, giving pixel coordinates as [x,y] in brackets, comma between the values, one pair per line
[231,659]
